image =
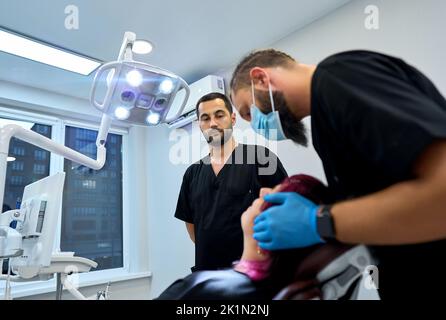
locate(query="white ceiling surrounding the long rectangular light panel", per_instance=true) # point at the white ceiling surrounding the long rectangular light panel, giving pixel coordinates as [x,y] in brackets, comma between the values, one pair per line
[192,38]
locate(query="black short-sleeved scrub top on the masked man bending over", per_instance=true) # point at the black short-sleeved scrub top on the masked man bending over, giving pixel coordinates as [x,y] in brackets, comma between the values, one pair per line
[372,115]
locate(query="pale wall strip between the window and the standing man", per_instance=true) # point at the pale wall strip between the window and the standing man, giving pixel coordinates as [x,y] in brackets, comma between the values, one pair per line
[171,252]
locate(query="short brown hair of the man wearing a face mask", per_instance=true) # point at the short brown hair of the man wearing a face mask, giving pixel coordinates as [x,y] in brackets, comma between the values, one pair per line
[261,58]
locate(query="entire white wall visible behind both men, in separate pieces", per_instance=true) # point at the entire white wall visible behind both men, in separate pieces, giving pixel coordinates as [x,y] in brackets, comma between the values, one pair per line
[413,30]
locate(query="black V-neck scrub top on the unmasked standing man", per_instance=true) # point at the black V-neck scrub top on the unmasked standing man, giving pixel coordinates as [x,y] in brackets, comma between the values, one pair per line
[214,204]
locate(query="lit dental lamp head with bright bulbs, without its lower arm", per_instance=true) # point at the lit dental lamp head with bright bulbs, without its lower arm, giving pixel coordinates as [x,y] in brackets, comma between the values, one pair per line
[137,93]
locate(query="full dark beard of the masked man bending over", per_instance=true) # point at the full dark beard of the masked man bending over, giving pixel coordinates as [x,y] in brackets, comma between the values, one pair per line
[293,128]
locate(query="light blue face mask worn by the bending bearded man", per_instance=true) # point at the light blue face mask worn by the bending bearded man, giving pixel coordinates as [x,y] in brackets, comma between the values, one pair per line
[267,125]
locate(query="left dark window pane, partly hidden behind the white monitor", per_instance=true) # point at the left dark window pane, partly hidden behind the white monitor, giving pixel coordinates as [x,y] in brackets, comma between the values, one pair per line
[22,170]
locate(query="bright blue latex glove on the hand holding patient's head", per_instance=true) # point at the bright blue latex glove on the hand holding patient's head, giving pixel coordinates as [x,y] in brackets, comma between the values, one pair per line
[289,224]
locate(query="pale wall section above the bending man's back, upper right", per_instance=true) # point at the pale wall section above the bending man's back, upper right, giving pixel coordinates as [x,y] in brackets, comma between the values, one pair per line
[412,30]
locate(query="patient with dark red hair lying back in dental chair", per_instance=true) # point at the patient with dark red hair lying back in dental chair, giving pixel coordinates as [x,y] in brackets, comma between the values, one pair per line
[258,274]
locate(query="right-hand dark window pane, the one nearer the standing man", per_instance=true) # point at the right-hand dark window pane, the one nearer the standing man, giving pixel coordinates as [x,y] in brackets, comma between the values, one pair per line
[92,202]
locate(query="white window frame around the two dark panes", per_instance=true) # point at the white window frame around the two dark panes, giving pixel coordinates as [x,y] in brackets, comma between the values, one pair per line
[58,125]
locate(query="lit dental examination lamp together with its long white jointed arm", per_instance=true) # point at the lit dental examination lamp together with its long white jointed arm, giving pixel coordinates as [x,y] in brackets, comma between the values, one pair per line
[133,92]
